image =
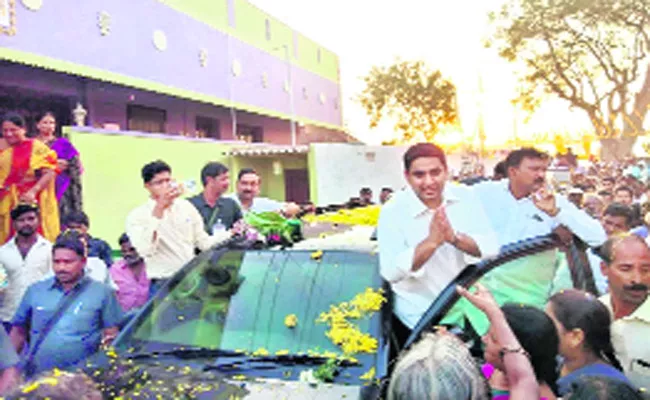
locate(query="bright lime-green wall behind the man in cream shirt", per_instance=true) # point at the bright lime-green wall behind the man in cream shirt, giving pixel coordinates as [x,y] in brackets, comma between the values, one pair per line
[112,185]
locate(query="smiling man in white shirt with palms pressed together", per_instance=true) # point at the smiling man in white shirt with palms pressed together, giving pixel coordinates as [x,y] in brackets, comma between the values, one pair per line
[425,234]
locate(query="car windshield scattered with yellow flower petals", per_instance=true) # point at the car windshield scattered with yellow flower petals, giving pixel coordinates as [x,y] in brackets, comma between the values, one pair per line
[238,300]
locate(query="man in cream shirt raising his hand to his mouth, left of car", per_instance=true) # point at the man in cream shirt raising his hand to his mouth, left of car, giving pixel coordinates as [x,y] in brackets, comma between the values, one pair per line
[167,229]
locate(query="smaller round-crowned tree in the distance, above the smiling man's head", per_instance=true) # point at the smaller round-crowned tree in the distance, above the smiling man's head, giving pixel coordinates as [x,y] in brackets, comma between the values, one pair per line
[420,100]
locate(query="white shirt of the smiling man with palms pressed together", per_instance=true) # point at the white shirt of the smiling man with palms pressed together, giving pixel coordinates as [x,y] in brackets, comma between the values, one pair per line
[403,224]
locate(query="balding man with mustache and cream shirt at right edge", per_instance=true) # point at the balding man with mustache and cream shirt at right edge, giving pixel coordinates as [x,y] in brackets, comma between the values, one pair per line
[626,264]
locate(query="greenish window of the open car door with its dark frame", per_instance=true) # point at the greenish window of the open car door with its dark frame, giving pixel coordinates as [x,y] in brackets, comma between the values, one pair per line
[523,273]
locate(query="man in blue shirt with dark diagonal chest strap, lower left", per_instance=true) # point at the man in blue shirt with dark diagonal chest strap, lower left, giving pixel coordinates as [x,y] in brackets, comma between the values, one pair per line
[90,320]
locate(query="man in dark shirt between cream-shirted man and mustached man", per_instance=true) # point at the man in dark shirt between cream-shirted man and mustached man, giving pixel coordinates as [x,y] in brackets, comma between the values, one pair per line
[218,212]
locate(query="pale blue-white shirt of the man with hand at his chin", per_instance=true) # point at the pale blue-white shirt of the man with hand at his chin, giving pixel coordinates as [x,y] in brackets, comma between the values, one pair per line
[514,219]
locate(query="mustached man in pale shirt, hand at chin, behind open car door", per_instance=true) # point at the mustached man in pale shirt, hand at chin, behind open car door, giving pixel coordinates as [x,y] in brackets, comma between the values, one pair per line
[522,207]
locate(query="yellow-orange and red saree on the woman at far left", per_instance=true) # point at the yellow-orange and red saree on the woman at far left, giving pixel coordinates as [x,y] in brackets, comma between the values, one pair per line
[19,166]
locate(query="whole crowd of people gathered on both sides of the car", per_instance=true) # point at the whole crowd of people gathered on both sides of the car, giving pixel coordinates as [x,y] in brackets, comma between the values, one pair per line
[66,297]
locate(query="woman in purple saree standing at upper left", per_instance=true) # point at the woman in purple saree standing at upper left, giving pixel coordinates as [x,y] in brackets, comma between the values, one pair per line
[68,181]
